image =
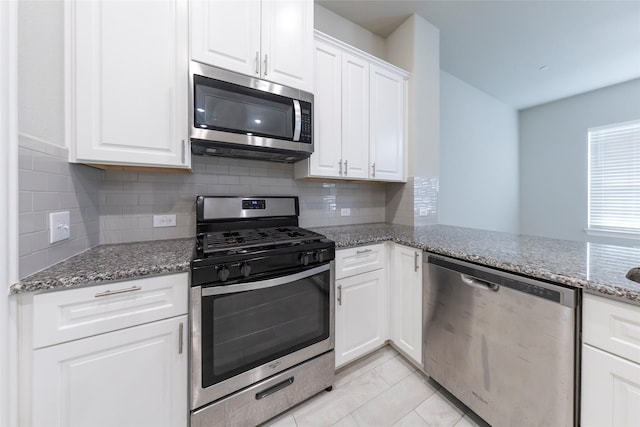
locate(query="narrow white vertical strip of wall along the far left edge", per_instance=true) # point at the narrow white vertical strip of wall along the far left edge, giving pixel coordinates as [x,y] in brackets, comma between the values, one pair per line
[8,190]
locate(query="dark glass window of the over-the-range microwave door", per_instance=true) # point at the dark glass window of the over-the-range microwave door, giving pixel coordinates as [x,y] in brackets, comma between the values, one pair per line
[227,107]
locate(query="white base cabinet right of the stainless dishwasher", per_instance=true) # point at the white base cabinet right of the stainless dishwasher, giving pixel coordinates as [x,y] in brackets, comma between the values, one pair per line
[610,363]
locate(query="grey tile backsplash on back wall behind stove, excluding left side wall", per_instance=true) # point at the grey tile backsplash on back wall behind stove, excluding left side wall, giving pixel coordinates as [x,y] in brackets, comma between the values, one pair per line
[128,200]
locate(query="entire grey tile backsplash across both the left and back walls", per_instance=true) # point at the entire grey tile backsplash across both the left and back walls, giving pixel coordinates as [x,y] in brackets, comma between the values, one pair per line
[118,206]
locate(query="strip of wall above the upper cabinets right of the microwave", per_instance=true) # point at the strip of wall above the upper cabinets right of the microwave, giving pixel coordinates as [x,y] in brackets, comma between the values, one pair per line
[336,26]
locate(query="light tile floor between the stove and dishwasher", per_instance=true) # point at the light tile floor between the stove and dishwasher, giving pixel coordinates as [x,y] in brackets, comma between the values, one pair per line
[380,390]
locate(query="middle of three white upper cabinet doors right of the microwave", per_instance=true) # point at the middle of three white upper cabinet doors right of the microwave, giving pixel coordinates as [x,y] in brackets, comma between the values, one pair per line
[355,116]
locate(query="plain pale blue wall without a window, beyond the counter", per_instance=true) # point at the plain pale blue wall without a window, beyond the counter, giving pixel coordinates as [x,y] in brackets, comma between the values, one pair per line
[478,158]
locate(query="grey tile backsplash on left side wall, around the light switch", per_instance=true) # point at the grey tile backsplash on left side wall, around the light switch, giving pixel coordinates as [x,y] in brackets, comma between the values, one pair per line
[48,183]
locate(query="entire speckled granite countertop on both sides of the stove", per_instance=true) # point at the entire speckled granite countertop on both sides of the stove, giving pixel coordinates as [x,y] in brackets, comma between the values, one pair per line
[599,269]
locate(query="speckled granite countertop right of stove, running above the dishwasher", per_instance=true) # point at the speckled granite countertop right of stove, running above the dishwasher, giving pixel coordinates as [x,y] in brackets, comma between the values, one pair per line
[599,269]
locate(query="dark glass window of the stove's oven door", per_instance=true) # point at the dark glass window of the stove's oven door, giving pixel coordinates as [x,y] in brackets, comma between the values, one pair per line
[247,329]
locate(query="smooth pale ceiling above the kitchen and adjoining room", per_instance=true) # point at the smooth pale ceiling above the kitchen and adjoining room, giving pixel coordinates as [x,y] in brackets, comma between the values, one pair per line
[523,53]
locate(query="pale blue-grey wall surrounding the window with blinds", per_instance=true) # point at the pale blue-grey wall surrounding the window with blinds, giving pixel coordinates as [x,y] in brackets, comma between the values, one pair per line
[553,159]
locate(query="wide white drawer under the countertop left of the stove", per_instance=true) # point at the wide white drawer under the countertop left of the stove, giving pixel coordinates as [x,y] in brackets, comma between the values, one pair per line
[71,314]
